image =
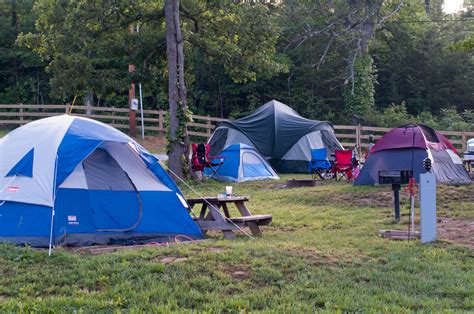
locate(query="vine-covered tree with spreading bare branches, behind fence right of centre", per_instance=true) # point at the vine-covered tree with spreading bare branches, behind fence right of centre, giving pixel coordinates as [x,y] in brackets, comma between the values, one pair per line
[346,27]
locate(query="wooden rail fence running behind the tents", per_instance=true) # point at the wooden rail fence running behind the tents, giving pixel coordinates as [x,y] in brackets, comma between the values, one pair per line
[201,127]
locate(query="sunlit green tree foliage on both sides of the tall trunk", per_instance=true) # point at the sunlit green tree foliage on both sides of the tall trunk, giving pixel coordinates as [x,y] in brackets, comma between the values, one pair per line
[89,41]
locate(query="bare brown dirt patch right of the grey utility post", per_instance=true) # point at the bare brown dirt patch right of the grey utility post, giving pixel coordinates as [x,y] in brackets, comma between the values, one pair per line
[457,230]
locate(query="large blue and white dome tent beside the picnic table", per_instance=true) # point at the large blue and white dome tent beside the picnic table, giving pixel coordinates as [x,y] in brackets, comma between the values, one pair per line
[76,181]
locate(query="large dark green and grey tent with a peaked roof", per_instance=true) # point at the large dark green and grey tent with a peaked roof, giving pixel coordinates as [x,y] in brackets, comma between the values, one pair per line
[279,134]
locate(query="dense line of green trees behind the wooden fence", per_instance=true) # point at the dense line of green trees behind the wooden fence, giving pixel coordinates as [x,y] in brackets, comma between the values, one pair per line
[350,61]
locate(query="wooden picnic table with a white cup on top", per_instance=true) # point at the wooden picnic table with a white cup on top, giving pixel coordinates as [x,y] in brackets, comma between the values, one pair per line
[212,218]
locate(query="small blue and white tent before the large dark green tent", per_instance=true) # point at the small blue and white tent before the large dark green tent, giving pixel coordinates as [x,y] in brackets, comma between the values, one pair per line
[243,163]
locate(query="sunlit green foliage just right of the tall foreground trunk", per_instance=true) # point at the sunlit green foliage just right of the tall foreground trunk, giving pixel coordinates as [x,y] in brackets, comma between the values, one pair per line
[238,39]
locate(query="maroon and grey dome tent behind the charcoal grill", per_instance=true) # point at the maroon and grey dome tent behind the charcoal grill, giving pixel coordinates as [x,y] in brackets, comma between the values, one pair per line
[405,147]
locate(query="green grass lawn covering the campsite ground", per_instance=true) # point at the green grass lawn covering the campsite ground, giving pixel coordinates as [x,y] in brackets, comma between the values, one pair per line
[322,252]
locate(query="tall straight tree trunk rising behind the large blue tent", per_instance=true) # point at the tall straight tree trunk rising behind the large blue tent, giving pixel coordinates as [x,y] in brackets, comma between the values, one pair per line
[178,137]
